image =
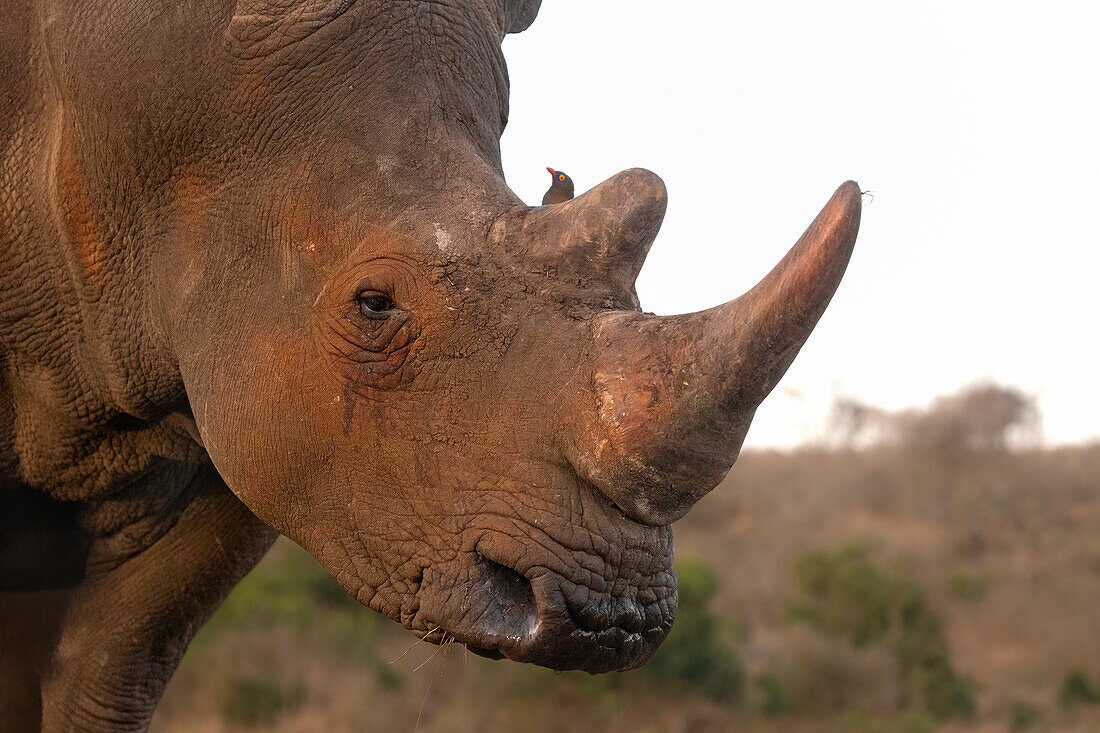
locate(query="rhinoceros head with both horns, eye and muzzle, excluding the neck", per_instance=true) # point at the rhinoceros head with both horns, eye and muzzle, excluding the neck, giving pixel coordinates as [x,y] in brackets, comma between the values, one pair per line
[450,399]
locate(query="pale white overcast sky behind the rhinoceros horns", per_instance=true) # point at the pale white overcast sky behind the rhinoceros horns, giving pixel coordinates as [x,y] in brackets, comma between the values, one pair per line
[977,126]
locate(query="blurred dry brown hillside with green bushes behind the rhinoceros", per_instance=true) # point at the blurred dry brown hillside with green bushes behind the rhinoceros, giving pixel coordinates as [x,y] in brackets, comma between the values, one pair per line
[918,571]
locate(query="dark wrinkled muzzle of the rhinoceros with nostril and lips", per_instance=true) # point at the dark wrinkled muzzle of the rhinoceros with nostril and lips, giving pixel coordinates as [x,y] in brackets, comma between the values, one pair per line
[545,618]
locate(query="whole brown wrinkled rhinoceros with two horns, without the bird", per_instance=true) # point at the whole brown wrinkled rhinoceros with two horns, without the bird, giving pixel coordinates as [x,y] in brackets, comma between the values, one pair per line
[262,275]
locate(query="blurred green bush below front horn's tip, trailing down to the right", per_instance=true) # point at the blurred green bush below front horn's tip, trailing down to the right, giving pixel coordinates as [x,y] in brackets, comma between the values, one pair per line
[843,594]
